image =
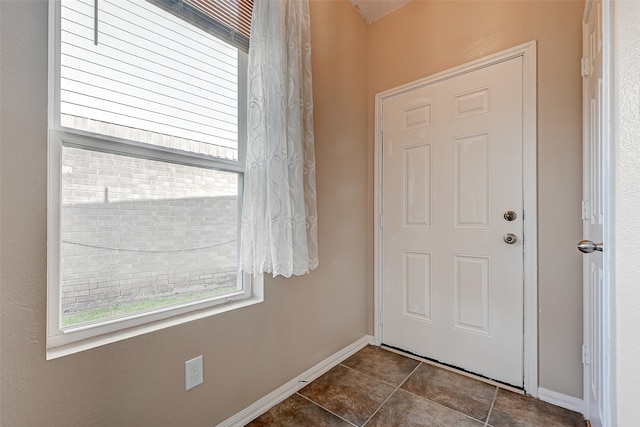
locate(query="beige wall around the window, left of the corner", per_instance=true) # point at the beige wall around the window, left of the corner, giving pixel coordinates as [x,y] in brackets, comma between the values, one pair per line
[247,353]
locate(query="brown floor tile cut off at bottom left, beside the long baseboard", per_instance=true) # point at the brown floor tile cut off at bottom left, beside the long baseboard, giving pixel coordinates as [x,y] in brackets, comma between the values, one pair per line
[296,411]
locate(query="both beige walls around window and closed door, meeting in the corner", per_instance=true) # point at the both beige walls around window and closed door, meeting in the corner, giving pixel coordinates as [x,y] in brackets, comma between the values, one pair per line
[250,352]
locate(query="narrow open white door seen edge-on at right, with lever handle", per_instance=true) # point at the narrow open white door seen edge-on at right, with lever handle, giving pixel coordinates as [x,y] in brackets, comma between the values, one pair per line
[594,291]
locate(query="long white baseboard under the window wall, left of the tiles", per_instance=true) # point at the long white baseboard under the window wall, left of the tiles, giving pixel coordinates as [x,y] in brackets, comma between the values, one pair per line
[264,404]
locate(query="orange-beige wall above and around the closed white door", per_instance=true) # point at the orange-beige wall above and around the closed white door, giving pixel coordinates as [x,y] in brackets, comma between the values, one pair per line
[426,37]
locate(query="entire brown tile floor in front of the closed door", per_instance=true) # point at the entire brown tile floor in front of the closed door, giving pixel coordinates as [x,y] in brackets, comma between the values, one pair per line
[377,387]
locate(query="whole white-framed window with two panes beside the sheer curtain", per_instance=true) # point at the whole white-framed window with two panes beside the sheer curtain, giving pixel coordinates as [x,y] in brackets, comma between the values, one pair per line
[146,164]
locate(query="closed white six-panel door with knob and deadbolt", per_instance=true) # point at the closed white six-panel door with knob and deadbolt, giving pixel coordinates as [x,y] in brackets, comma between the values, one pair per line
[452,228]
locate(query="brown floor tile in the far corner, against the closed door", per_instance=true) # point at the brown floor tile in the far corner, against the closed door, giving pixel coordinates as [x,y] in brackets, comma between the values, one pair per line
[385,365]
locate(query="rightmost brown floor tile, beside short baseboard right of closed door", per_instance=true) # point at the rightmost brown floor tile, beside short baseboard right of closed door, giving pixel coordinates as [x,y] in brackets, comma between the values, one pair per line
[515,410]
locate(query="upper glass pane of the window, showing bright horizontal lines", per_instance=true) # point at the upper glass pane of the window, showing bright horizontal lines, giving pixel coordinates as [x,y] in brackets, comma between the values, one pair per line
[147,75]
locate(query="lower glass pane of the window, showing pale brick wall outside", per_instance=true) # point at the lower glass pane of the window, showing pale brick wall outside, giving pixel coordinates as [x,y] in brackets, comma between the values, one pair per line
[140,234]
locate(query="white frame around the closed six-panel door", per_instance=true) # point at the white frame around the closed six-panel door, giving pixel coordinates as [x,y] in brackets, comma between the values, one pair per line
[527,52]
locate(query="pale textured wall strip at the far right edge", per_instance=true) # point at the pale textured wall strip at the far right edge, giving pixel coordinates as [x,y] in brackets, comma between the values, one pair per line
[625,99]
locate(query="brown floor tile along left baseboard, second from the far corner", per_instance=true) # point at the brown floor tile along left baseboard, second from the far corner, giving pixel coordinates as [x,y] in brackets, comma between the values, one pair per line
[348,393]
